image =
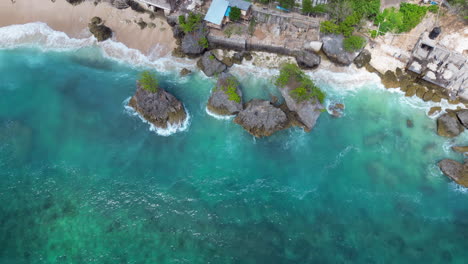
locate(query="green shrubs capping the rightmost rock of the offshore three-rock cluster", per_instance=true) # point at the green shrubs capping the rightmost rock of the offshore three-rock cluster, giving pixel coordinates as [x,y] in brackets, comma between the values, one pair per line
[306,88]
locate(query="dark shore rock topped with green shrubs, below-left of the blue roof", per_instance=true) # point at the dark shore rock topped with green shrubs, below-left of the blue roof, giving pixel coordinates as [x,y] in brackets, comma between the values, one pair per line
[194,41]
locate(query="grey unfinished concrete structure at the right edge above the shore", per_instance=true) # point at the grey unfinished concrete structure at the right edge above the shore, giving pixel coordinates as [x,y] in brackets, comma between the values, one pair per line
[440,66]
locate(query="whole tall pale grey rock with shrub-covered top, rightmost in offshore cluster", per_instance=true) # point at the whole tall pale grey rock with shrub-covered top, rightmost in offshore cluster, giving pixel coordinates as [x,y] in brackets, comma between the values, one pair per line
[302,96]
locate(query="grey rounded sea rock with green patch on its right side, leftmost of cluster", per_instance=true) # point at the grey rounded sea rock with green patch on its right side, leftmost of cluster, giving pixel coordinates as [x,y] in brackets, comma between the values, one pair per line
[226,96]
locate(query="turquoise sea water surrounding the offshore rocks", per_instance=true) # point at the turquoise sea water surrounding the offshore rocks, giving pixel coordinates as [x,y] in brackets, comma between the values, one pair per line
[82,181]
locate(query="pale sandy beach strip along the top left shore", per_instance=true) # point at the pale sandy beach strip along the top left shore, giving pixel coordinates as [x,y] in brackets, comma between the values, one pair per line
[73,20]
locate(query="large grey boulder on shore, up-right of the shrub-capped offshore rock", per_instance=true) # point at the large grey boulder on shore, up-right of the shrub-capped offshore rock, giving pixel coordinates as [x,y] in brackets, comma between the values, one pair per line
[333,48]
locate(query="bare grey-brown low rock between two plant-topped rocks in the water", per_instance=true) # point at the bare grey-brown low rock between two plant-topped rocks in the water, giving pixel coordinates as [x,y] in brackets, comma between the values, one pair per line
[261,118]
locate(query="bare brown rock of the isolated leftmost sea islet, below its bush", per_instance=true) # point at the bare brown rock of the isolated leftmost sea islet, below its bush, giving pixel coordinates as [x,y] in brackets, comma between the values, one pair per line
[160,108]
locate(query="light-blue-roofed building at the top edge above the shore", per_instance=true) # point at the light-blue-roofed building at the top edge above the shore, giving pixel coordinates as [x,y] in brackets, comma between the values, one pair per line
[218,13]
